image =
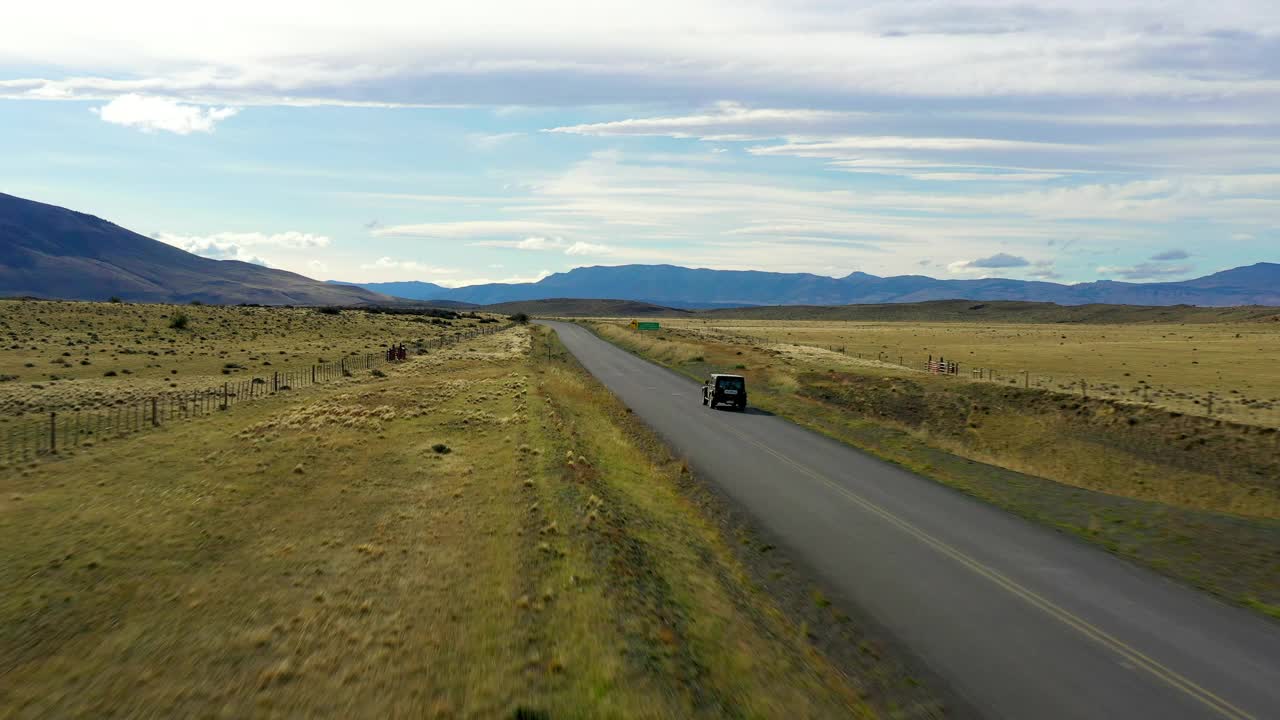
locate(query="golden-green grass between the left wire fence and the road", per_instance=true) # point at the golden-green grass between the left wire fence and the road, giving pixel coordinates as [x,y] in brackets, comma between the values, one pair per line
[473,535]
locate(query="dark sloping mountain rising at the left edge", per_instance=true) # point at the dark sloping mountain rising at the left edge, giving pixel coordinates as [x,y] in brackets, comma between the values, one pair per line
[49,252]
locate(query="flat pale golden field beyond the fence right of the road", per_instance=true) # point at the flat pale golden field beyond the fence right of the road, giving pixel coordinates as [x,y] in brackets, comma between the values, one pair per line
[1226,370]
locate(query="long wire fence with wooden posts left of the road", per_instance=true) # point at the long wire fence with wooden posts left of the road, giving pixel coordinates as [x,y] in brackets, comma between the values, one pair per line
[48,435]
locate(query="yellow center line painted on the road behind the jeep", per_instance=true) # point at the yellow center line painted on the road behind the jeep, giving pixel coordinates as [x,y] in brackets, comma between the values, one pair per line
[1118,646]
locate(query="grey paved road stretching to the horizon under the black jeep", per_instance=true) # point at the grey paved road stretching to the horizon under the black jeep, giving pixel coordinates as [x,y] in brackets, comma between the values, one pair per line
[1022,622]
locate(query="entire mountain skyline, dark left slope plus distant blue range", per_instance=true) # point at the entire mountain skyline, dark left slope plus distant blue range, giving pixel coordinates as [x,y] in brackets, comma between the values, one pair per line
[49,252]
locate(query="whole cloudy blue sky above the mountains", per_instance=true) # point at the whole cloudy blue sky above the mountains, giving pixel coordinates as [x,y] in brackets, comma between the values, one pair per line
[467,143]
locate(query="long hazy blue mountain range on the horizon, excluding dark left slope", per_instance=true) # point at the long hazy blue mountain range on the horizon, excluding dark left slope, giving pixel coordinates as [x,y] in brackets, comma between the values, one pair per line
[700,289]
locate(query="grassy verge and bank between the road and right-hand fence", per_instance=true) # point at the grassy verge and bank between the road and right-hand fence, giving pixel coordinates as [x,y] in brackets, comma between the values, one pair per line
[1195,498]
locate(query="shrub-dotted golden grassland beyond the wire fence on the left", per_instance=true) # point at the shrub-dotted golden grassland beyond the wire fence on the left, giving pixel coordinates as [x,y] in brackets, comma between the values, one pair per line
[61,357]
